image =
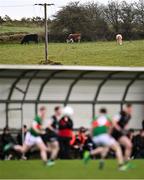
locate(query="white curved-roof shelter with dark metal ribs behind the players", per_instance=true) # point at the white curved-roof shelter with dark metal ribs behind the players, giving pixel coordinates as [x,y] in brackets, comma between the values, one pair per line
[24,88]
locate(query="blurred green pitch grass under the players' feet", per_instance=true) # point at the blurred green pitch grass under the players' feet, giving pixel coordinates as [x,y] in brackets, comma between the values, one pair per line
[72,169]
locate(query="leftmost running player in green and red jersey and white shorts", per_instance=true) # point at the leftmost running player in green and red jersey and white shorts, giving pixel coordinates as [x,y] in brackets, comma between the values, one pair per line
[33,137]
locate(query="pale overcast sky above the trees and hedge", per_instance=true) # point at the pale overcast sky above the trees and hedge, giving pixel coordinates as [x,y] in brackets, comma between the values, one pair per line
[17,9]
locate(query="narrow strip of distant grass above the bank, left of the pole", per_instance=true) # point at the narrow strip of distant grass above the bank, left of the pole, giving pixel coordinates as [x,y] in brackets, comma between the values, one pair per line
[15,29]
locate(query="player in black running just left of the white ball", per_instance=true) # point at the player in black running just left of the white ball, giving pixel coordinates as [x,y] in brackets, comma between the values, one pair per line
[51,135]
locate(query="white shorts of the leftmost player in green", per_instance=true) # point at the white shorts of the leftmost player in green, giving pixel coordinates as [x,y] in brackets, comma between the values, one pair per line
[31,140]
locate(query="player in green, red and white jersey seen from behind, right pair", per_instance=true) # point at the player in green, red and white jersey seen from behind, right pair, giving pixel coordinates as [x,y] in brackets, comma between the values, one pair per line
[101,138]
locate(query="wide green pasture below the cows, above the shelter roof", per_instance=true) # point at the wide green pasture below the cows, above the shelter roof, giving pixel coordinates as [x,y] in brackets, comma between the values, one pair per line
[97,53]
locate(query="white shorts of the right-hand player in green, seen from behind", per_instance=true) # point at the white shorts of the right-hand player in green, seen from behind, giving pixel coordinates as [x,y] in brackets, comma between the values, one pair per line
[104,140]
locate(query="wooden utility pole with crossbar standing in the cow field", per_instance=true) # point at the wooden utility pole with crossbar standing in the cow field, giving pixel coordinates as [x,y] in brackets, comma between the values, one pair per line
[46,29]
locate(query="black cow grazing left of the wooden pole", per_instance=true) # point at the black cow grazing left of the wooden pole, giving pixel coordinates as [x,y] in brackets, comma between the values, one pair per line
[29,38]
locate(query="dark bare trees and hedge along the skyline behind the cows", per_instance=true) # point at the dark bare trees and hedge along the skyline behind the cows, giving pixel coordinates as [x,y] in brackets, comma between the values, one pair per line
[95,21]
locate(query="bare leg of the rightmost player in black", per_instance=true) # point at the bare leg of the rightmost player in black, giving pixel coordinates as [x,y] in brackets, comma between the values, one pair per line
[125,141]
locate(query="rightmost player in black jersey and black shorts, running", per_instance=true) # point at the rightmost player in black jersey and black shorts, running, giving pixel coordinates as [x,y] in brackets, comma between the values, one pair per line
[120,123]
